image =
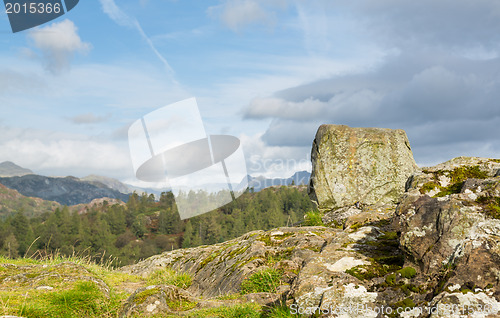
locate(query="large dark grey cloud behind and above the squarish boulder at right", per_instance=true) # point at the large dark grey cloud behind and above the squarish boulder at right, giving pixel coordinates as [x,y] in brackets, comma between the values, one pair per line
[455,102]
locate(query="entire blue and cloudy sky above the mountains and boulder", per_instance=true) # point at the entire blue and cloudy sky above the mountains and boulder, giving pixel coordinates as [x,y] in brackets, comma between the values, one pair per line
[267,71]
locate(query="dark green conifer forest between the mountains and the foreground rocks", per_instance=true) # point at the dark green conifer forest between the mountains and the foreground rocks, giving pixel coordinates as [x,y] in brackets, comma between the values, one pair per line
[126,233]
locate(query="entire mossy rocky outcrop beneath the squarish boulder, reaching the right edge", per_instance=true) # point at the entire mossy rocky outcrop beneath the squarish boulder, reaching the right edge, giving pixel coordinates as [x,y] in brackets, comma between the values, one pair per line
[438,248]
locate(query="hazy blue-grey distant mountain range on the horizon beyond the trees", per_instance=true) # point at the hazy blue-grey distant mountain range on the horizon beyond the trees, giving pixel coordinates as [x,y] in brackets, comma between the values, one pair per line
[73,191]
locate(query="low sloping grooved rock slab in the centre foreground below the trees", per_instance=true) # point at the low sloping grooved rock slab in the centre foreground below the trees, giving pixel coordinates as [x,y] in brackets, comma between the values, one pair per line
[221,268]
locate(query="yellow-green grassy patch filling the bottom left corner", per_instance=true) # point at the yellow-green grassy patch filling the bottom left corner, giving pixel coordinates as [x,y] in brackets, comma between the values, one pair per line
[71,296]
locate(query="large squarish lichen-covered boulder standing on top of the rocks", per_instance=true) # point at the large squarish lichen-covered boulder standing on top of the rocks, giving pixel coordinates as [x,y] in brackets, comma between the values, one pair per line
[366,165]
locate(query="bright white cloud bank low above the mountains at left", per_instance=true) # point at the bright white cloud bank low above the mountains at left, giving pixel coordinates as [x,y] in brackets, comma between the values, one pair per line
[57,153]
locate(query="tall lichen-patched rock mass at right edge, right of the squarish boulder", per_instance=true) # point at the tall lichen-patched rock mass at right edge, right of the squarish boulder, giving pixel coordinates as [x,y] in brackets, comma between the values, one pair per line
[449,222]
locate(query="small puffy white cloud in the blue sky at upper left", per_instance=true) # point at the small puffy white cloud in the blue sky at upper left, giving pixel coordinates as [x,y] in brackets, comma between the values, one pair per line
[58,43]
